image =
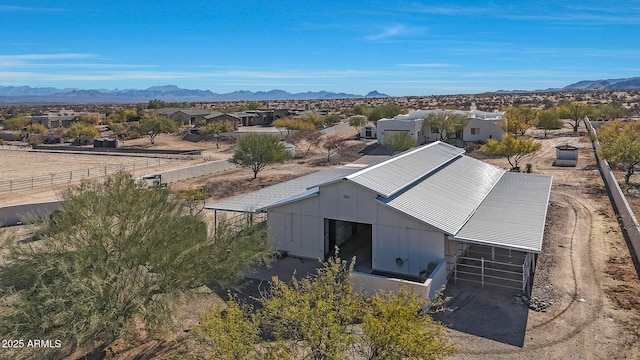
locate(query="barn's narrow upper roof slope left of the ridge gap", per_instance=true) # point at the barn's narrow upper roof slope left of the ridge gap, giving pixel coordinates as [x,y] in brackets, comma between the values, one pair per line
[395,174]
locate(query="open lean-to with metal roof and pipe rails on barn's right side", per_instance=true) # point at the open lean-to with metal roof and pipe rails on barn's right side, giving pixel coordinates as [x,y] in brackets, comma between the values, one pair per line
[500,243]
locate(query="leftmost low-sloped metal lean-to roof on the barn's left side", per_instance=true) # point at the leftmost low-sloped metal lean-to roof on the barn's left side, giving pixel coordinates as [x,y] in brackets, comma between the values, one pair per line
[297,189]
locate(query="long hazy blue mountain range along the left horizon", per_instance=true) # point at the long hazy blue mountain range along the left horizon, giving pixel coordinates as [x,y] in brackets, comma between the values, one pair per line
[169,93]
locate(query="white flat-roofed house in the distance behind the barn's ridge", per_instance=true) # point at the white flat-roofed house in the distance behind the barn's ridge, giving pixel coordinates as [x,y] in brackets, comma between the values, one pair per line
[481,127]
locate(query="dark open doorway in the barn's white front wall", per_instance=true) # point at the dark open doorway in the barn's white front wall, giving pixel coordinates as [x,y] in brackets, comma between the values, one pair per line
[352,239]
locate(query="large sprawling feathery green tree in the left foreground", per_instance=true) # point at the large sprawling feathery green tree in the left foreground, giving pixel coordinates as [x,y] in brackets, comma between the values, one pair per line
[117,253]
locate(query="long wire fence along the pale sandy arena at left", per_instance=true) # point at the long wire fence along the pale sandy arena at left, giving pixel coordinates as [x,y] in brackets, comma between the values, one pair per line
[75,175]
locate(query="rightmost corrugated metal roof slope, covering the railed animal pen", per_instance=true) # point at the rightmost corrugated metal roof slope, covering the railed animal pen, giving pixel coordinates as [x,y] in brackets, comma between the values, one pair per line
[513,214]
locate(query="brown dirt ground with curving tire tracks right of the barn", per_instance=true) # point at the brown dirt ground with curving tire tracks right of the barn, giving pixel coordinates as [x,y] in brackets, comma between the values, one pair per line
[584,270]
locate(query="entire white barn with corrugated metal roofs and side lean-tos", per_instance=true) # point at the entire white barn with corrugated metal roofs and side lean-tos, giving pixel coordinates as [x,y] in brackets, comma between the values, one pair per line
[421,217]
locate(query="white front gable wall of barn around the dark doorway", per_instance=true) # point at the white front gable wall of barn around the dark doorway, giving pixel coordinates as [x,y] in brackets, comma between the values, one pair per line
[298,228]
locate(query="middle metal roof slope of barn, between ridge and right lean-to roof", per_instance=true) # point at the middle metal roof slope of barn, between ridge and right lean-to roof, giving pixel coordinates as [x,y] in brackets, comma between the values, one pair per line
[448,197]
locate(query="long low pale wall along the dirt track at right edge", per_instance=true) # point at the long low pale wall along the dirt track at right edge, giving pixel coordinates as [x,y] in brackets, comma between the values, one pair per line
[626,217]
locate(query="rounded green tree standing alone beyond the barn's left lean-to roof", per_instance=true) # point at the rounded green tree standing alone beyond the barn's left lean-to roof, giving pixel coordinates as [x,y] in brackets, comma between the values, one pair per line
[256,151]
